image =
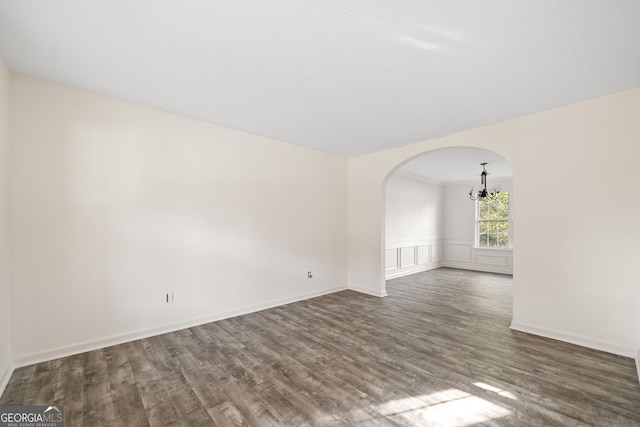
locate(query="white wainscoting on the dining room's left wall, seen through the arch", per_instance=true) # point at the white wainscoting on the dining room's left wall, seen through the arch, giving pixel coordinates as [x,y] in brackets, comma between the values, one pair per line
[403,258]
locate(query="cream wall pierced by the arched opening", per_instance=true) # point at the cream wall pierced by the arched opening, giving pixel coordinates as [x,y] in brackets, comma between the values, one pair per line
[575,170]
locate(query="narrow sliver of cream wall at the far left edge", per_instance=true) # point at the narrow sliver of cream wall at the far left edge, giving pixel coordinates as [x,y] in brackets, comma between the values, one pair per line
[5,337]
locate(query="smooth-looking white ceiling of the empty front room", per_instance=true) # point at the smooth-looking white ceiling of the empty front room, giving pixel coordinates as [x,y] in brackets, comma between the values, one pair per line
[348,78]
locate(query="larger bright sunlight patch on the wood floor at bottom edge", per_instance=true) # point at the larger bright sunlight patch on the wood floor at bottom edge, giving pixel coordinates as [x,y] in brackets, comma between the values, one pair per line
[445,408]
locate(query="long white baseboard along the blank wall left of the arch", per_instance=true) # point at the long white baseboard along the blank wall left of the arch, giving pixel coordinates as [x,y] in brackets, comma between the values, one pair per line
[56,353]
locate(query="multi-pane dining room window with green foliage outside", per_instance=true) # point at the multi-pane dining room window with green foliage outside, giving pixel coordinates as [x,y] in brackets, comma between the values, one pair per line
[493,222]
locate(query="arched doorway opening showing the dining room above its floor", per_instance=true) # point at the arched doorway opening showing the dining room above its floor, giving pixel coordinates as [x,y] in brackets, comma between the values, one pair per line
[429,221]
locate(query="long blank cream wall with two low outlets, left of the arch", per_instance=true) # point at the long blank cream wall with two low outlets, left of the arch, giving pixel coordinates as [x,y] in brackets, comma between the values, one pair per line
[114,205]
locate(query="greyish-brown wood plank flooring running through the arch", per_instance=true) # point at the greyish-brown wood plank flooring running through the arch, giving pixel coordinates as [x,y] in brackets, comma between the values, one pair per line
[437,351]
